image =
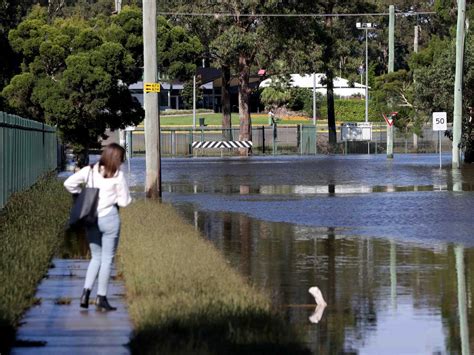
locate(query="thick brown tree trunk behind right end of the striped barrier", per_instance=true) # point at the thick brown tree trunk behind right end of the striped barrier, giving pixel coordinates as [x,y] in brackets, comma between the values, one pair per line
[245,133]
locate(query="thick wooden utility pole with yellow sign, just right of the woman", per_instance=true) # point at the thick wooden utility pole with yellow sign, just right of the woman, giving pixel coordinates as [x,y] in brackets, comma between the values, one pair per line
[152,112]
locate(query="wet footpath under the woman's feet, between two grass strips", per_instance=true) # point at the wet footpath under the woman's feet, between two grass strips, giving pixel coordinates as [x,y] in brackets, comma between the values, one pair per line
[57,325]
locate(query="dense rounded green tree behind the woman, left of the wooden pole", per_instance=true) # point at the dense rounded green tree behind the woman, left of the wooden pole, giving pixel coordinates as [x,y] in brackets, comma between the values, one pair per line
[73,78]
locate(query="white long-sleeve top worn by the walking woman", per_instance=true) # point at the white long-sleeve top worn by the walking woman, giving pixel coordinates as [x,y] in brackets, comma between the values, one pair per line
[112,191]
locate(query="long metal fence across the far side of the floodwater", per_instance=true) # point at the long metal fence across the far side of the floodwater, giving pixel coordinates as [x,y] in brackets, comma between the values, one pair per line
[291,139]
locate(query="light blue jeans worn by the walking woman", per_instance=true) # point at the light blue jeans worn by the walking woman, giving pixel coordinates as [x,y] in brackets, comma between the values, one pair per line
[103,241]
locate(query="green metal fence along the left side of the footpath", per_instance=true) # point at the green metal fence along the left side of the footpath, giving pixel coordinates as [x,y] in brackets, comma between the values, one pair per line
[28,149]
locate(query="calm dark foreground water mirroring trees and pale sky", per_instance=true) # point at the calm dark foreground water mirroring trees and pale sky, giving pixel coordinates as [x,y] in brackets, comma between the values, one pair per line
[378,291]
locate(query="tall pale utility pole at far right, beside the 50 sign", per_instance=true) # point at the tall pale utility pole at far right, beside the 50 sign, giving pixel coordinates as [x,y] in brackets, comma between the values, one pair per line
[457,114]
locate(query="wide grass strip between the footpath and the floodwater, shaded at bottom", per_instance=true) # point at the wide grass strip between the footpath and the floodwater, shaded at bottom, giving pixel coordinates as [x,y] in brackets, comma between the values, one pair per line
[184,297]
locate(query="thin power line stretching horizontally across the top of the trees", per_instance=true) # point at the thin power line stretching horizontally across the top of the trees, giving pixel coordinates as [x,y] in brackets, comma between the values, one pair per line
[223,14]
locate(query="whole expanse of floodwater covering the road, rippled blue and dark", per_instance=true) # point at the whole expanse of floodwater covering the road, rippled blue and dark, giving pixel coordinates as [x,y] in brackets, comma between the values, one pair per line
[389,243]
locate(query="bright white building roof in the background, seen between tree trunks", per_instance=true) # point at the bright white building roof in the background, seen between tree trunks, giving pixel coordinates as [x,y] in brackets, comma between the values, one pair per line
[341,86]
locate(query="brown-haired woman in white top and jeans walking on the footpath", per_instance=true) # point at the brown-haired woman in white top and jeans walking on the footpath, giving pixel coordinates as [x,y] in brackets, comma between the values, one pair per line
[104,236]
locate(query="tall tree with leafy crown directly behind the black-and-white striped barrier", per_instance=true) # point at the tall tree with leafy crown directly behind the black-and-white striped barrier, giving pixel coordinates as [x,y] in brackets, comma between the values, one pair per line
[235,43]
